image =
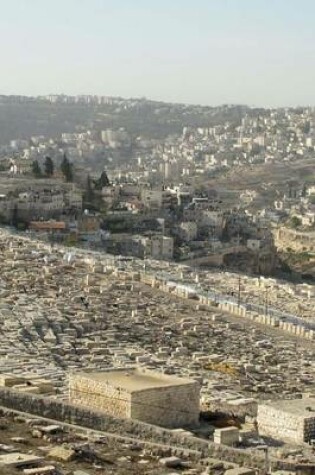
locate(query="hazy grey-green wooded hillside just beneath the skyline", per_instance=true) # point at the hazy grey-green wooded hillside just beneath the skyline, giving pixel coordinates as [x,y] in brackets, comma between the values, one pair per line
[148,119]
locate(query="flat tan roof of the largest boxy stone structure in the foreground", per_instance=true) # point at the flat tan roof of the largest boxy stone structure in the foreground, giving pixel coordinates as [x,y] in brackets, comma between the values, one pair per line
[136,380]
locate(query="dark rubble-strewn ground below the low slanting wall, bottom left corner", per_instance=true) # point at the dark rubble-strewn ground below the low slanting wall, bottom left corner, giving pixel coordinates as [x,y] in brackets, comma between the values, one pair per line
[75,453]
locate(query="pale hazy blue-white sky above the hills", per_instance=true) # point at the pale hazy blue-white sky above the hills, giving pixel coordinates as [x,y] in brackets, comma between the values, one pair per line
[254,52]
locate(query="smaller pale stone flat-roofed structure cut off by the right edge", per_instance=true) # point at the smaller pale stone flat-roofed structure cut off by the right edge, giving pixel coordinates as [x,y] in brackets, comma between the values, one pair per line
[288,420]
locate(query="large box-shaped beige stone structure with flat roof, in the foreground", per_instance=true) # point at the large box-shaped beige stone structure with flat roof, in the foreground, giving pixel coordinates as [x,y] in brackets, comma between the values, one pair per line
[140,394]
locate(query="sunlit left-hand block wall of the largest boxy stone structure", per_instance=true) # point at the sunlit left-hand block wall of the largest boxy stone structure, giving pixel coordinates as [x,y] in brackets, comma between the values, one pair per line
[88,392]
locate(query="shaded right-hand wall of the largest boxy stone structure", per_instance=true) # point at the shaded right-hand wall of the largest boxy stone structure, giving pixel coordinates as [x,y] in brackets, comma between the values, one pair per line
[175,406]
